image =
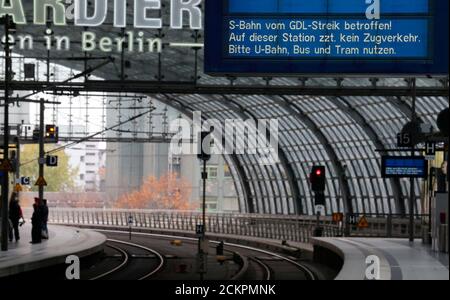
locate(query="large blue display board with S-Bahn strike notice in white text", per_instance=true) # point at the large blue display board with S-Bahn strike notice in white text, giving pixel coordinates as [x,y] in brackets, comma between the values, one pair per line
[326,37]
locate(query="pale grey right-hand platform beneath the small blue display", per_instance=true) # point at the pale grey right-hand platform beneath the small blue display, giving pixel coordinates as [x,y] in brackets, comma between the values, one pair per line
[399,259]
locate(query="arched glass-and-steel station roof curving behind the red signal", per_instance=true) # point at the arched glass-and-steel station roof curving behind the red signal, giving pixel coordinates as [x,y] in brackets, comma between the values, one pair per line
[344,133]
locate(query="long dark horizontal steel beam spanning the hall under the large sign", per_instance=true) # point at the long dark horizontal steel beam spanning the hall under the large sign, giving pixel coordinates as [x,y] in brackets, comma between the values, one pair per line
[155,87]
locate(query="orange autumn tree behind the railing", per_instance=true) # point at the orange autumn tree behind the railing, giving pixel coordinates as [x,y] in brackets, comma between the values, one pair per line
[167,192]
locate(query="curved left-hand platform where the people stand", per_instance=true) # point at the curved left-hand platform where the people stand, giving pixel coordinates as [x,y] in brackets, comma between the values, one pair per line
[63,241]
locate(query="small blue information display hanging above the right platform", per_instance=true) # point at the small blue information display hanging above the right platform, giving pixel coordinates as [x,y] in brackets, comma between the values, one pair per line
[404,167]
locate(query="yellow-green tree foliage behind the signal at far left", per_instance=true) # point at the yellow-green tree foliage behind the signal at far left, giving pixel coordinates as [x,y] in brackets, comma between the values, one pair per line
[59,179]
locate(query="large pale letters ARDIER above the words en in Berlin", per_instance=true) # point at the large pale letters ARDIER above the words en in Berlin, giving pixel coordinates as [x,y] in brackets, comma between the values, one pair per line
[93,13]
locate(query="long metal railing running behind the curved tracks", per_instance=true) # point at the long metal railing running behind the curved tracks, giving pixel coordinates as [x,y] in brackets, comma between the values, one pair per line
[277,227]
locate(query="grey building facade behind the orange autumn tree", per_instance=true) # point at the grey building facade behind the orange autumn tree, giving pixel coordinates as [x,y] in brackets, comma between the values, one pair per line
[129,164]
